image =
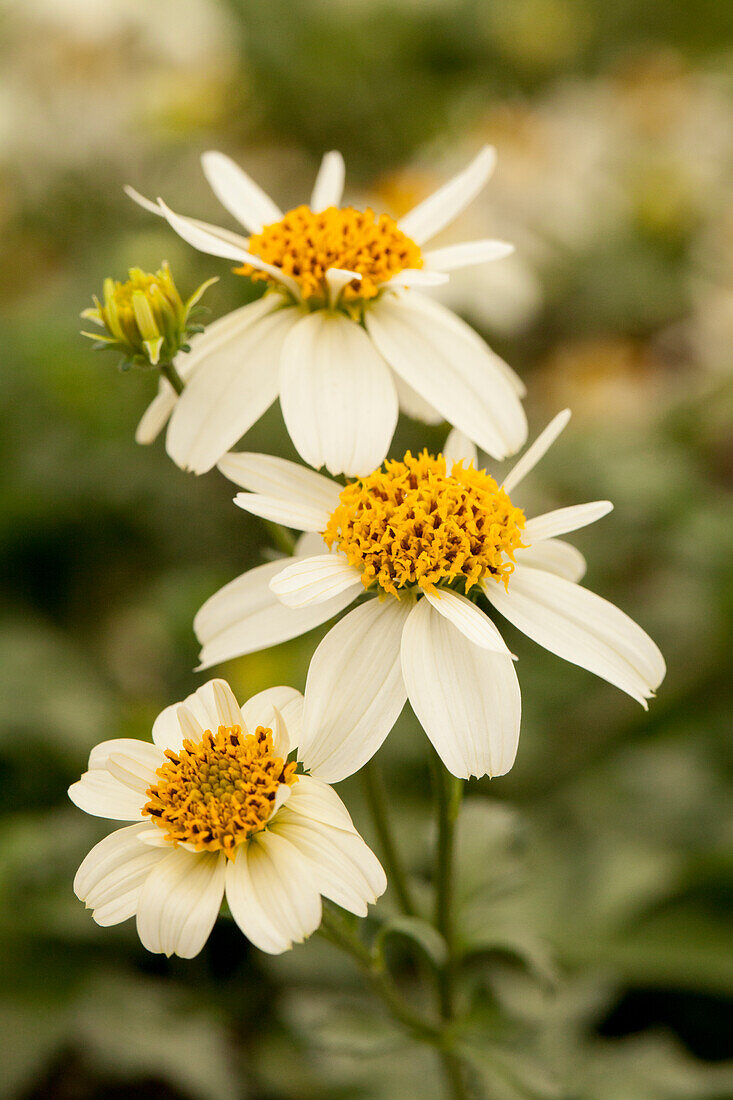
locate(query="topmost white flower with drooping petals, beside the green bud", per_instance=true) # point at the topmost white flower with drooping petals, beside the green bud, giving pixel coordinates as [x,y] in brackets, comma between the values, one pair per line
[344,336]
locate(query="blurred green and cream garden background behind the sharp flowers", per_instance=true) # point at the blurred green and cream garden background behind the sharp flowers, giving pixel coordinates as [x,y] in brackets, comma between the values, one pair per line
[596,878]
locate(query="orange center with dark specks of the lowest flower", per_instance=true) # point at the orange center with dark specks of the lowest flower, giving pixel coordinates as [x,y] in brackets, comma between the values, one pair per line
[217,793]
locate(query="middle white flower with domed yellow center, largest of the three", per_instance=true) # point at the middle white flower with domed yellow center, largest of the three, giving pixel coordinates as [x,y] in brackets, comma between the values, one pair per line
[429,537]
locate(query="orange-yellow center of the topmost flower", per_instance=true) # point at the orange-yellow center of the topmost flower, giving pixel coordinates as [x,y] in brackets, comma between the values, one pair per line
[305,245]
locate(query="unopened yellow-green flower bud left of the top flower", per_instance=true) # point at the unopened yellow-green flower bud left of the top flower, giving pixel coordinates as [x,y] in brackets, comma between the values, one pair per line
[146,318]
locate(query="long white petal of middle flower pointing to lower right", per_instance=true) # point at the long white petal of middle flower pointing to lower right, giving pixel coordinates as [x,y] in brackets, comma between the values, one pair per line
[582,628]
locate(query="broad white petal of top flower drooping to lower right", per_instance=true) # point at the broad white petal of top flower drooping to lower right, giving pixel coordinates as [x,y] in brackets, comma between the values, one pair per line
[452,368]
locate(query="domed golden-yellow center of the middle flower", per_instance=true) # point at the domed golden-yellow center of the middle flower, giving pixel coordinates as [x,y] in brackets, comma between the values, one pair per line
[414,524]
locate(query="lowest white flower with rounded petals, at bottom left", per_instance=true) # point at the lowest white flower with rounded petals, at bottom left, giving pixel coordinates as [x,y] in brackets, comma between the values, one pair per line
[218,809]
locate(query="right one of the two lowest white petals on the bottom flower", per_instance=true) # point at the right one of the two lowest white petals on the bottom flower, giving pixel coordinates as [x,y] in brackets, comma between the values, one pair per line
[271,894]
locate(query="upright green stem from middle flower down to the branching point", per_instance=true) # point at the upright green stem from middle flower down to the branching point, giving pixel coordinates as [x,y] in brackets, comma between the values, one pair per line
[448,793]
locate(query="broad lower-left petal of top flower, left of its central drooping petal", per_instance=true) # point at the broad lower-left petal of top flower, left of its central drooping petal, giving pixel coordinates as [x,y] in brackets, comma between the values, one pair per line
[231,392]
